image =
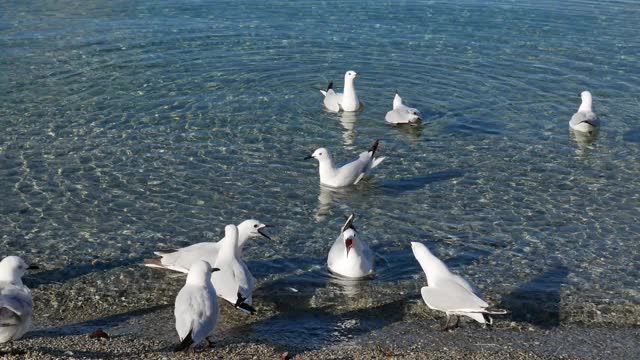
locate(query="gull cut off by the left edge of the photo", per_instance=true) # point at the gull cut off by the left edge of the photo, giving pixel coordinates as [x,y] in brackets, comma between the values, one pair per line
[16,302]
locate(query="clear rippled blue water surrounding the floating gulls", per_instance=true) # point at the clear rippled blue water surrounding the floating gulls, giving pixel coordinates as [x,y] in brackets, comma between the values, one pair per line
[129,126]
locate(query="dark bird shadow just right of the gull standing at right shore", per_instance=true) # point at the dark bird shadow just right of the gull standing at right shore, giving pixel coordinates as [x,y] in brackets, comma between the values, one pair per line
[538,301]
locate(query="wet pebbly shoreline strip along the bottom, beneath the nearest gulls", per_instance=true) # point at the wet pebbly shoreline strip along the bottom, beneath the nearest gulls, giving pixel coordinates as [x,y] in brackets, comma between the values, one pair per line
[134,305]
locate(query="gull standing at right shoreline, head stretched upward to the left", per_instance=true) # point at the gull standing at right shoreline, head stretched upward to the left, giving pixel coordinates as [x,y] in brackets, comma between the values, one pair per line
[449,292]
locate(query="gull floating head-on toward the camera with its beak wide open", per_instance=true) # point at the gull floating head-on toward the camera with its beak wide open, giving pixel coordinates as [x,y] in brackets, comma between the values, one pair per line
[350,256]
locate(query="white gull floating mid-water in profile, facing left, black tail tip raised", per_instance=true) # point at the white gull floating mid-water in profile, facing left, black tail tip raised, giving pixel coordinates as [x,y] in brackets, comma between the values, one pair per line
[347,174]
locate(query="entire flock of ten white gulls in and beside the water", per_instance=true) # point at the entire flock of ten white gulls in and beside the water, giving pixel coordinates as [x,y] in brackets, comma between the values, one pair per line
[216,269]
